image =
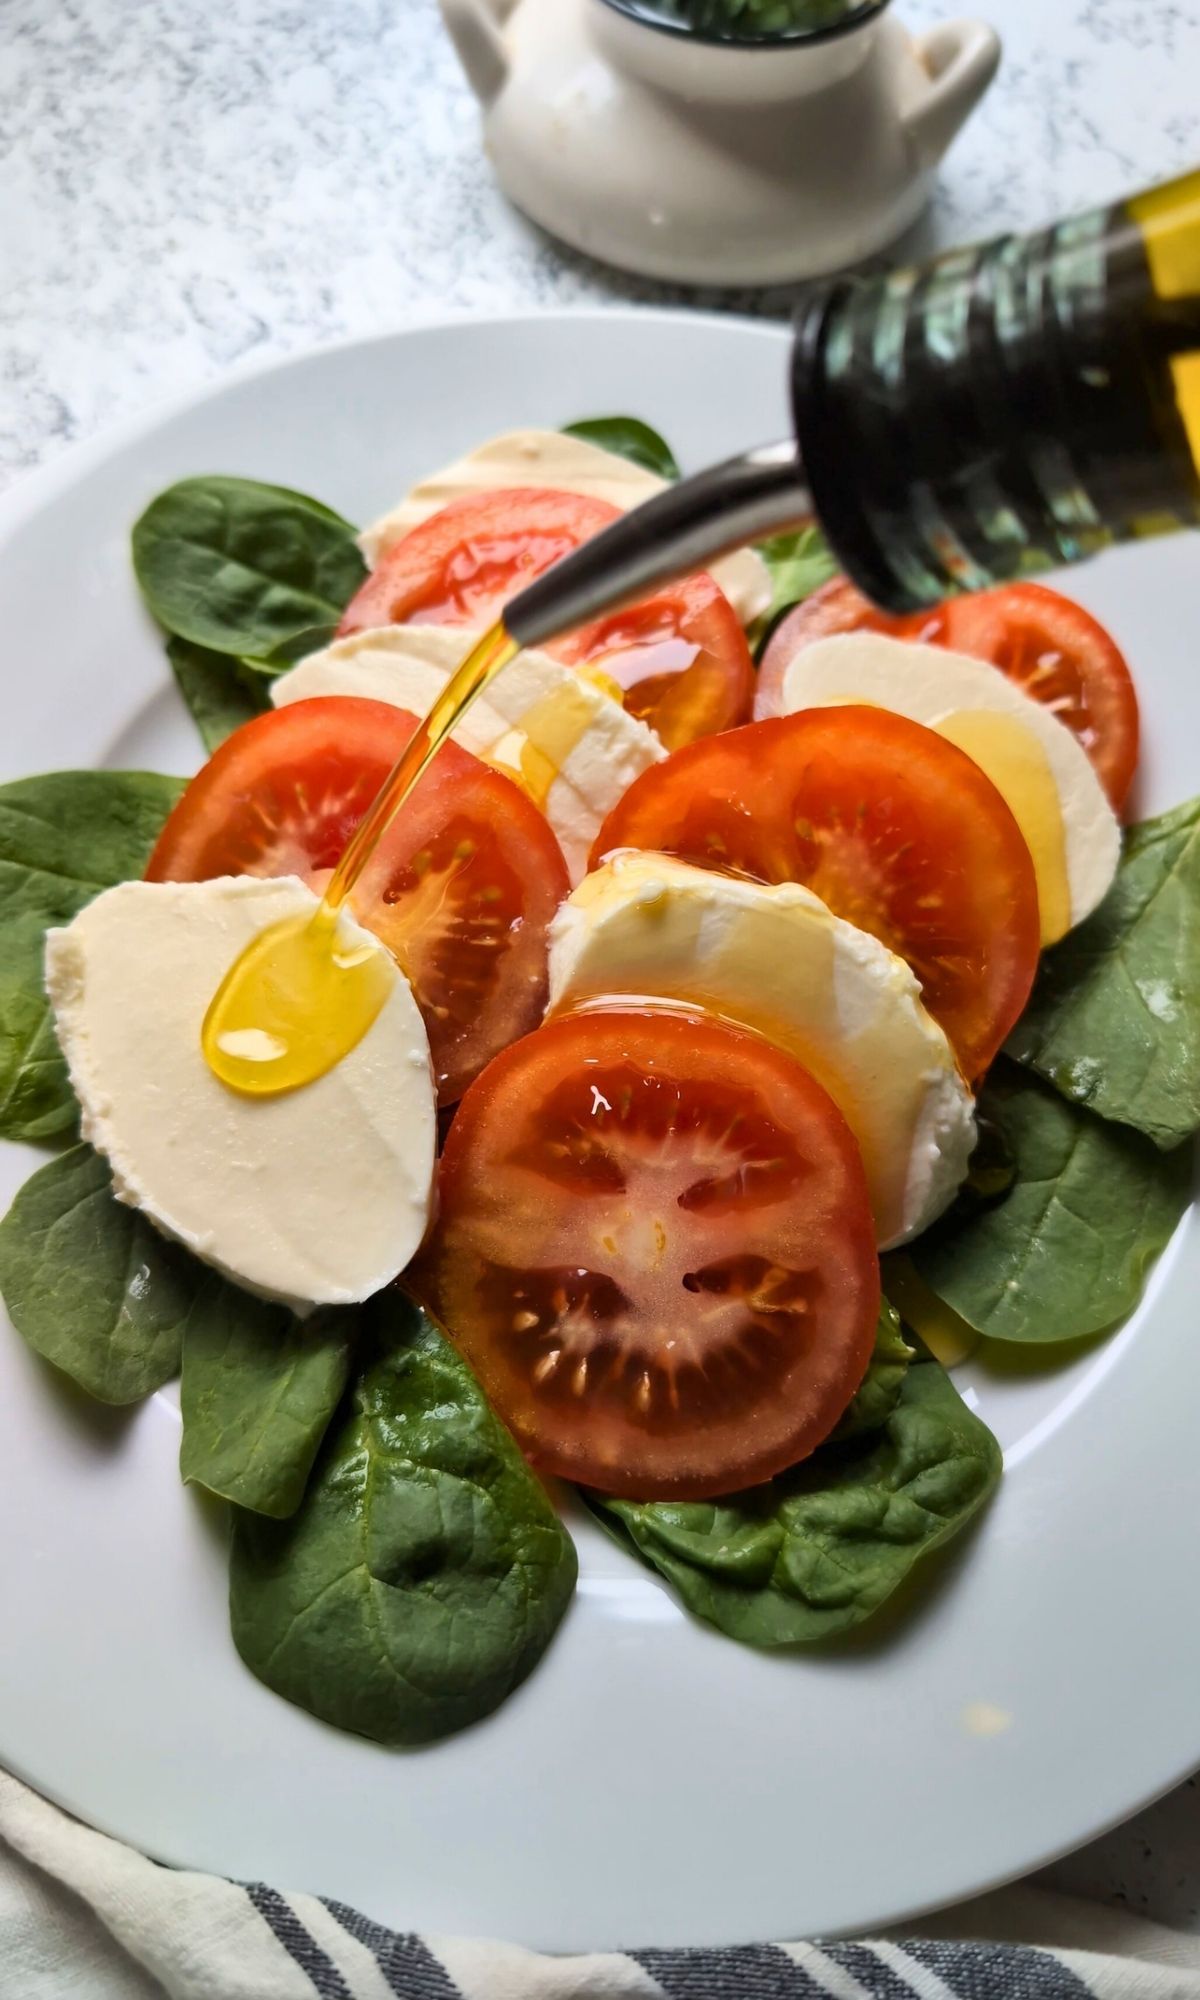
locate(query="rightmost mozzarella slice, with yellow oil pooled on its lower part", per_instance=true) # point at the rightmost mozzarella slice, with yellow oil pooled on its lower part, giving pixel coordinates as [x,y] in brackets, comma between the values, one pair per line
[1031,757]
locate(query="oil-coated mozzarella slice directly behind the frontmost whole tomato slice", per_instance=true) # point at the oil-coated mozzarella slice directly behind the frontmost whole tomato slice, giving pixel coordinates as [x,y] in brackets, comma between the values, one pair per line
[779,961]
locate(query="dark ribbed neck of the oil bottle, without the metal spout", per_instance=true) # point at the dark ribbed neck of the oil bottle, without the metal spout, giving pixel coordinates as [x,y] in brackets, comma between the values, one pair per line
[1011,407]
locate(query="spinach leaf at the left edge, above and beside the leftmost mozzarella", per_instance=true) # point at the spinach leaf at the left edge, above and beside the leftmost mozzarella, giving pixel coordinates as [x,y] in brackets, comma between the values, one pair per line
[63,839]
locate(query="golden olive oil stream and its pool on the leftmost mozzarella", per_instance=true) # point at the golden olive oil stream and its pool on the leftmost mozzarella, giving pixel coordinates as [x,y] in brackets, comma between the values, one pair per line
[307,991]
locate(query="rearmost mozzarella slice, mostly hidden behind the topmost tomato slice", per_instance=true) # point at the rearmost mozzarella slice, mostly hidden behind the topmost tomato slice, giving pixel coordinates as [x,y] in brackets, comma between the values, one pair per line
[571,467]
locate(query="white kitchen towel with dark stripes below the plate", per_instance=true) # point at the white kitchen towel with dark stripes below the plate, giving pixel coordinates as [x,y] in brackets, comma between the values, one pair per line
[87,1919]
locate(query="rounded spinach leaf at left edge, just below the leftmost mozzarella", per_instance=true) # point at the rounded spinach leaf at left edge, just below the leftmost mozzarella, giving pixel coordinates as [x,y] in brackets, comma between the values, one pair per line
[91,1285]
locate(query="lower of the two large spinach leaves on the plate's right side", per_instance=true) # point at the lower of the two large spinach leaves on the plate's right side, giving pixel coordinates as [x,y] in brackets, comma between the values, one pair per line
[1069,1245]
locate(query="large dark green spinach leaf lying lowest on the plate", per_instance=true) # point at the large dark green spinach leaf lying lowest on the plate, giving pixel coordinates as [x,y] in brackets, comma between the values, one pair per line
[425,1571]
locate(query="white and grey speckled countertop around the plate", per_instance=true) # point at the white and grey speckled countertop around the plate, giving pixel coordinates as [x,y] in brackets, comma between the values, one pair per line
[185,187]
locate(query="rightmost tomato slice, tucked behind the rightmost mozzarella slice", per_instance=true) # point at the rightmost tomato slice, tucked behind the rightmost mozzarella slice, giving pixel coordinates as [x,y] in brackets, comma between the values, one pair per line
[1043,641]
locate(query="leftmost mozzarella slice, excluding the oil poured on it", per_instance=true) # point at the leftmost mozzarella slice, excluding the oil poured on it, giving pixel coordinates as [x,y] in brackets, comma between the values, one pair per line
[319,1197]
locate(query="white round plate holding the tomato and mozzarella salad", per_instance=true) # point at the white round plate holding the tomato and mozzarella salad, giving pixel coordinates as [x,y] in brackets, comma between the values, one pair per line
[653,1783]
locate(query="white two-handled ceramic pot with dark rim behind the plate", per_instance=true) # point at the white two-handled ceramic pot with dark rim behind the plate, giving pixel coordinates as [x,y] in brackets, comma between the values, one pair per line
[715,163]
